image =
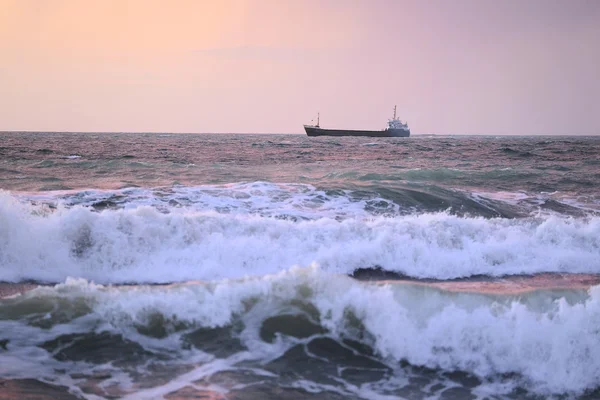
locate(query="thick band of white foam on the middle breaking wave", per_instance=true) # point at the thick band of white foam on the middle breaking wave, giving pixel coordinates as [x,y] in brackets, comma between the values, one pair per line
[144,244]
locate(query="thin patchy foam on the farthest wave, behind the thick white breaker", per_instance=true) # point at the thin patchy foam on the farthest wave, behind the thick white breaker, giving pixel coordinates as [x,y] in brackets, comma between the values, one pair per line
[262,198]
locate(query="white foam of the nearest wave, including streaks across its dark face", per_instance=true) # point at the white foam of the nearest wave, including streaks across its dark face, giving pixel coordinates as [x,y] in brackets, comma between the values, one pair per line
[547,341]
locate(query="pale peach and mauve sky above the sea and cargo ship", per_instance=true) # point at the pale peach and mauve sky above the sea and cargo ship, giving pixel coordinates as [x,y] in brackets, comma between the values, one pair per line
[268,66]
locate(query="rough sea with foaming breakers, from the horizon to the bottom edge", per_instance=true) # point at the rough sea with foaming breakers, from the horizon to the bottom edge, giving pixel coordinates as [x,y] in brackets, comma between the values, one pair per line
[258,266]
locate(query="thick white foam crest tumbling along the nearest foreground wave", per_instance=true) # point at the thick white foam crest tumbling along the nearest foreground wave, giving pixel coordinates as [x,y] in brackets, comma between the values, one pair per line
[549,342]
